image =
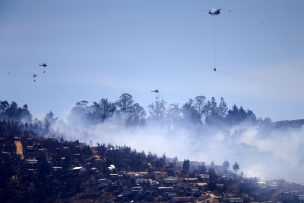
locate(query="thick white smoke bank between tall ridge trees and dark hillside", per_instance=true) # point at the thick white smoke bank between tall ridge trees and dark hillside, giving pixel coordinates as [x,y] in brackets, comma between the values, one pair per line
[266,153]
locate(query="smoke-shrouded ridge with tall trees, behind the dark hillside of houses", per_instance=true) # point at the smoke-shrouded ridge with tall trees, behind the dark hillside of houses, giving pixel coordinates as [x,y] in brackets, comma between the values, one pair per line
[200,130]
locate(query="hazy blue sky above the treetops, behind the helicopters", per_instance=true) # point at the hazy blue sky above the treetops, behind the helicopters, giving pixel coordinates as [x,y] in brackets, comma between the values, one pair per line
[97,49]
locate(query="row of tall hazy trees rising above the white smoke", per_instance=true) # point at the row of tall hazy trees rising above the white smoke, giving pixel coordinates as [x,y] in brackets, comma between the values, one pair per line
[197,111]
